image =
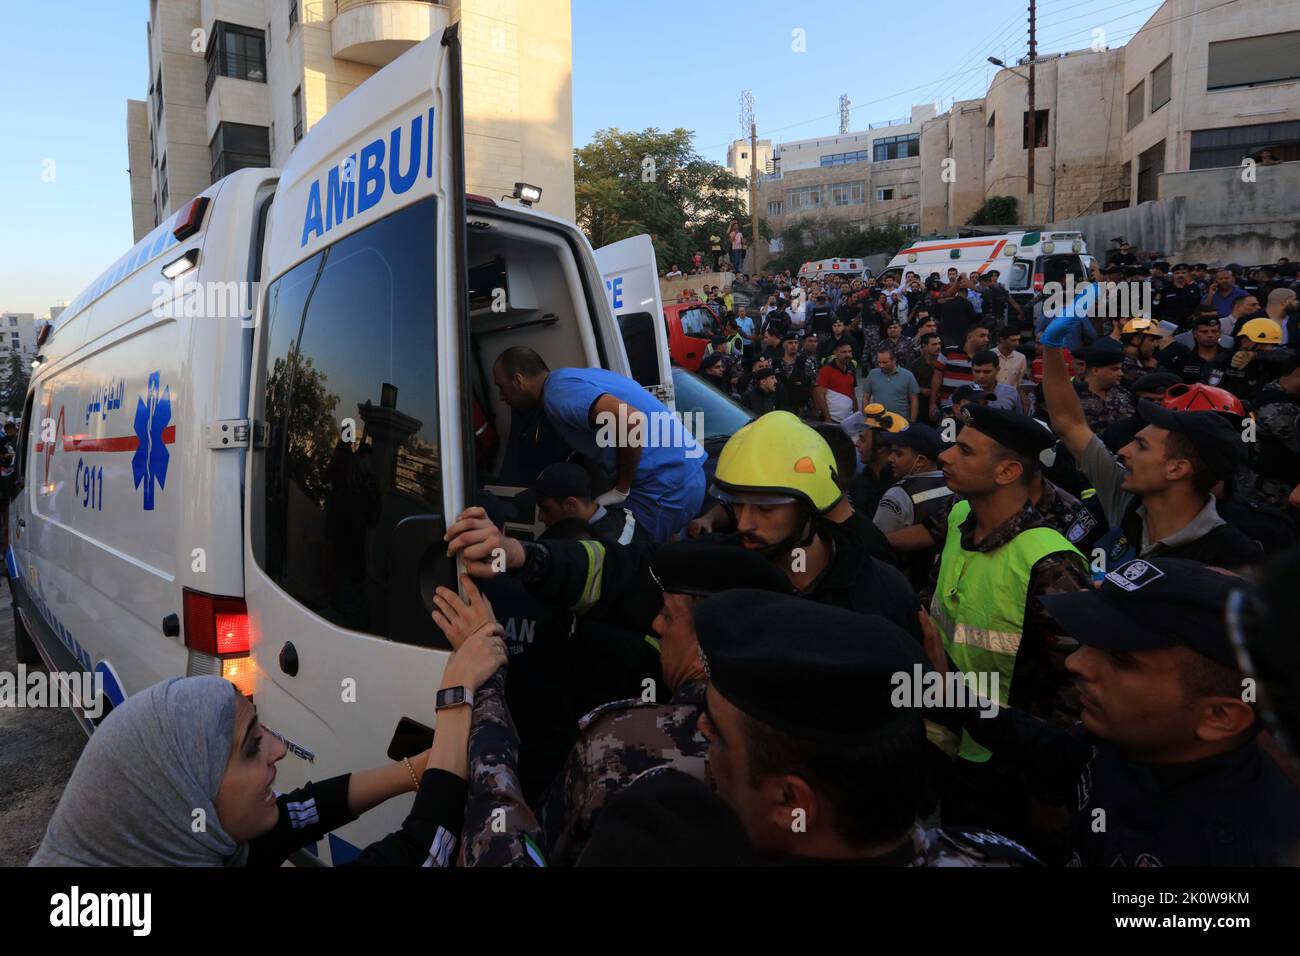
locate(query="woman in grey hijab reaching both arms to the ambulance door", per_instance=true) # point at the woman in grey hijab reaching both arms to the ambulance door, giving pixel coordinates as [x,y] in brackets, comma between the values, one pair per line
[181,776]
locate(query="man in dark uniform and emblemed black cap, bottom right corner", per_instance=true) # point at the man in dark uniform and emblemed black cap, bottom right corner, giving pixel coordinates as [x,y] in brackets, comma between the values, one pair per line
[1165,769]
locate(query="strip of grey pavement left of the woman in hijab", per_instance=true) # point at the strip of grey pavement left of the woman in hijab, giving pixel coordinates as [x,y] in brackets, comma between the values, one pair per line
[38,751]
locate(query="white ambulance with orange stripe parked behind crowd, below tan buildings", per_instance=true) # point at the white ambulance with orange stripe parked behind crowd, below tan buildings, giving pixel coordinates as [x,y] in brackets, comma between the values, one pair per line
[1025,261]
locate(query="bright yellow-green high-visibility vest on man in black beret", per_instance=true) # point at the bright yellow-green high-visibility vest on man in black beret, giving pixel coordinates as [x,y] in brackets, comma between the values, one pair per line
[980,604]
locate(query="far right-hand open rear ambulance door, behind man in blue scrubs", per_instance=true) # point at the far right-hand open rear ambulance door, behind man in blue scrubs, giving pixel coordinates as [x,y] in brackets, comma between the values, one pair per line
[632,287]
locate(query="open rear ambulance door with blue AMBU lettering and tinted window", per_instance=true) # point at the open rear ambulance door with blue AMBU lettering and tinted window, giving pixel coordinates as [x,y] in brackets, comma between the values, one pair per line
[361,451]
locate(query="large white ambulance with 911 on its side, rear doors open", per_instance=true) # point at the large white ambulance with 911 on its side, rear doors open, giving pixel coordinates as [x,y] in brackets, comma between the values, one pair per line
[253,477]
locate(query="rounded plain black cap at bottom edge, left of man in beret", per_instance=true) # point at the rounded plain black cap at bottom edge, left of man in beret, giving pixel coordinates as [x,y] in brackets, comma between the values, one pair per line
[668,819]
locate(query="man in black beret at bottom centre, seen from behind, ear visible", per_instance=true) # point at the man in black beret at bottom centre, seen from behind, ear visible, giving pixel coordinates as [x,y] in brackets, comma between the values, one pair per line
[812,745]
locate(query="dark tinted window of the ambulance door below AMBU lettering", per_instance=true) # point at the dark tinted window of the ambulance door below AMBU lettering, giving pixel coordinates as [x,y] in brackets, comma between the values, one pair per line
[337,513]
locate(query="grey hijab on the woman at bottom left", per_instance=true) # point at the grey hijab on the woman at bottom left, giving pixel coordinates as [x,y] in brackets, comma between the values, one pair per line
[153,763]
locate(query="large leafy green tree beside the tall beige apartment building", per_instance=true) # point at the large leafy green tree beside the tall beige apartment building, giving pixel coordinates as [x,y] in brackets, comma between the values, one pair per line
[655,183]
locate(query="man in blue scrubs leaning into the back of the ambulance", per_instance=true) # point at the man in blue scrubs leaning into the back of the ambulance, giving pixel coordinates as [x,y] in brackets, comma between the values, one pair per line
[658,468]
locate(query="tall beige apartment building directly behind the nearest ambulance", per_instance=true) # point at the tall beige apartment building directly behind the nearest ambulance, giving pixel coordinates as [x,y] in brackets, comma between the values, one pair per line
[237,84]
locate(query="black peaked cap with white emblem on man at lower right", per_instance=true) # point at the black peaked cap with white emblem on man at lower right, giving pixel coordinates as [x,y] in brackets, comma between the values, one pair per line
[1151,604]
